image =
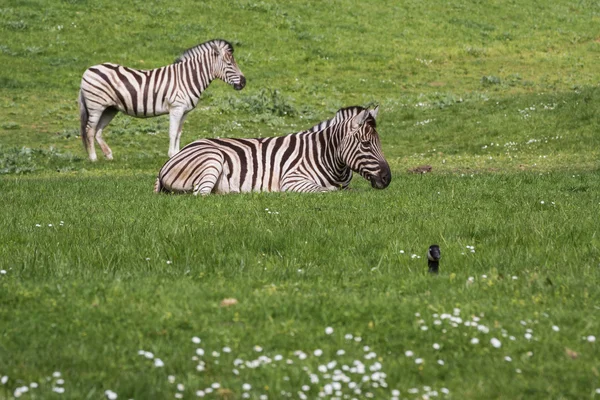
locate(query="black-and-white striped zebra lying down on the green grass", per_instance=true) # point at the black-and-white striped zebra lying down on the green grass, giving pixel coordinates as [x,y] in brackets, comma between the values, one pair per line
[320,159]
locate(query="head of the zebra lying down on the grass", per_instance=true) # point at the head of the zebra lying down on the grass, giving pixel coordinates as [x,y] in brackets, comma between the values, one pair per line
[361,149]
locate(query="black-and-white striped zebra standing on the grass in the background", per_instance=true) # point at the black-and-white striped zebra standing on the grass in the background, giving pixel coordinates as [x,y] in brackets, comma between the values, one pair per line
[174,89]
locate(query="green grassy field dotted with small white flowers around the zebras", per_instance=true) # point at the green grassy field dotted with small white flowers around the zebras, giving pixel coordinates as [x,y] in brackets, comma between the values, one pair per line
[105,286]
